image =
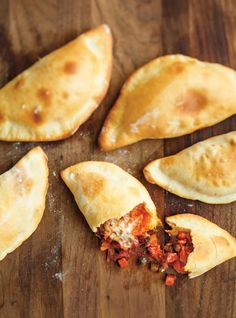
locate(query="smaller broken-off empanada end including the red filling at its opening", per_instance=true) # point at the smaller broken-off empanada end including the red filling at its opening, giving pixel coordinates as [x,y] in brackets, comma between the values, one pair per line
[211,244]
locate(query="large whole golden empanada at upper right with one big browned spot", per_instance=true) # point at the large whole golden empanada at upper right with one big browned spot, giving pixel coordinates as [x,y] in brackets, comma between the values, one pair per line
[170,96]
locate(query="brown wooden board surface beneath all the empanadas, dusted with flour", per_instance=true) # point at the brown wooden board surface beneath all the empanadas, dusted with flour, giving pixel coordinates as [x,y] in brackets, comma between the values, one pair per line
[59,271]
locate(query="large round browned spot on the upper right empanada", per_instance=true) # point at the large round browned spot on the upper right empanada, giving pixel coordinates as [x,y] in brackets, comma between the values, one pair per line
[192,102]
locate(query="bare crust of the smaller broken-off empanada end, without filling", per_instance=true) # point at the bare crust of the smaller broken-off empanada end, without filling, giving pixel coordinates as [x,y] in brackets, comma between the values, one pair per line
[212,245]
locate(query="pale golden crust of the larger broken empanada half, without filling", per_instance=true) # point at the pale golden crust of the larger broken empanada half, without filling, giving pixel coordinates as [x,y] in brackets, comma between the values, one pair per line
[104,191]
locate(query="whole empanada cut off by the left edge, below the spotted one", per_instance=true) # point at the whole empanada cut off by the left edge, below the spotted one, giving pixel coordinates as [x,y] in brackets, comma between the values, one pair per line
[23,191]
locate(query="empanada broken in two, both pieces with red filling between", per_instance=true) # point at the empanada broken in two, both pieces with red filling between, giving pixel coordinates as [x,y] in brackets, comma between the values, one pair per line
[120,211]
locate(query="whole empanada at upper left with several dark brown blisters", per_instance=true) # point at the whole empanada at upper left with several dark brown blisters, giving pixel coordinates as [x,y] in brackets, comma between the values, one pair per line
[51,99]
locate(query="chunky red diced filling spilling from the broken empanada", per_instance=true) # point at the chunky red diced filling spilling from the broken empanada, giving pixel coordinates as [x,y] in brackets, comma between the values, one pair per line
[130,236]
